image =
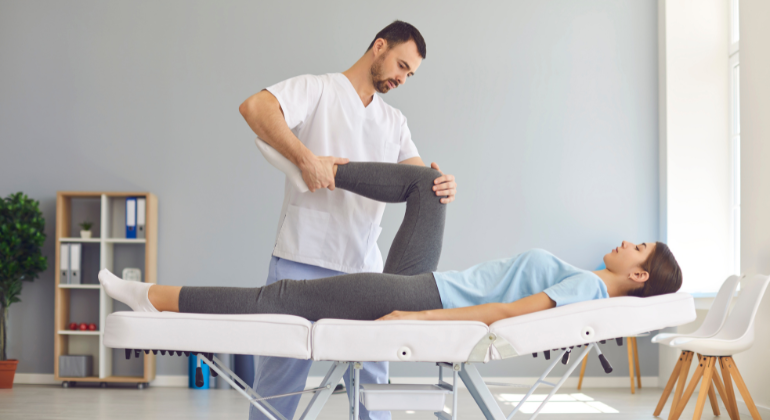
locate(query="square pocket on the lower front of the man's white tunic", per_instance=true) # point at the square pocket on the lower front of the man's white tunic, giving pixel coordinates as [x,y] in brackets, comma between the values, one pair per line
[303,232]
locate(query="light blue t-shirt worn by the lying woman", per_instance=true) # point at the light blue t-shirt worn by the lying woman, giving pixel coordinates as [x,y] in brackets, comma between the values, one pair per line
[511,279]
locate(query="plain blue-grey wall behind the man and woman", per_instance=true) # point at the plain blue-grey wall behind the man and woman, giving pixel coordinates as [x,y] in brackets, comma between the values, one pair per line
[545,111]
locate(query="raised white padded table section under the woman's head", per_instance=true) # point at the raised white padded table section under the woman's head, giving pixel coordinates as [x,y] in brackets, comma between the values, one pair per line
[591,321]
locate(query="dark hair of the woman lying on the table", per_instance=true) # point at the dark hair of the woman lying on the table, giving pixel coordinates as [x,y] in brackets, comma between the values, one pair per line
[665,274]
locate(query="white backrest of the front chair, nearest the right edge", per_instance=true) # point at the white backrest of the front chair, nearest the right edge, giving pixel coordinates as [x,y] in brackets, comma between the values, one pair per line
[741,319]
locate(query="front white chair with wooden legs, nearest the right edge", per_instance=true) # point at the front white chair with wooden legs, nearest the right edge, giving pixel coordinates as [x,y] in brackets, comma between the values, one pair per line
[736,335]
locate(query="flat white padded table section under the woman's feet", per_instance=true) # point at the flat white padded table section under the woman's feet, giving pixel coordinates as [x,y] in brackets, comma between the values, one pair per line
[267,335]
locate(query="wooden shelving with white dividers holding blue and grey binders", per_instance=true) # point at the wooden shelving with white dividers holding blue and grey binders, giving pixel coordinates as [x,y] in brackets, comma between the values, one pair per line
[108,248]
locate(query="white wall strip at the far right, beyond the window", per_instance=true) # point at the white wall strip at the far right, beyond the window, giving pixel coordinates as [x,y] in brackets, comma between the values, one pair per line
[755,183]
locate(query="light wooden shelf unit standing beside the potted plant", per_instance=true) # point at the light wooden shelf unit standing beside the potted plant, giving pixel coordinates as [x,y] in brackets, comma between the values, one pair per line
[106,241]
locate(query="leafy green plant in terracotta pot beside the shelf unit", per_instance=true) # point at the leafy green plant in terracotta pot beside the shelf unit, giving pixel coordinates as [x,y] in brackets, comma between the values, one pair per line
[21,237]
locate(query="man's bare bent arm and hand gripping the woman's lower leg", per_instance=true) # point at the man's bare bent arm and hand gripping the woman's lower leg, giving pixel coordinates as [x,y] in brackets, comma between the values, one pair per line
[263,113]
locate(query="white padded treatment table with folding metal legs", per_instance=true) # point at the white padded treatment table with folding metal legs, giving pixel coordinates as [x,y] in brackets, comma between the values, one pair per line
[457,346]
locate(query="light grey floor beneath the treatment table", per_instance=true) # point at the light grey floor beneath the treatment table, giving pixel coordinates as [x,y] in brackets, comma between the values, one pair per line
[54,402]
